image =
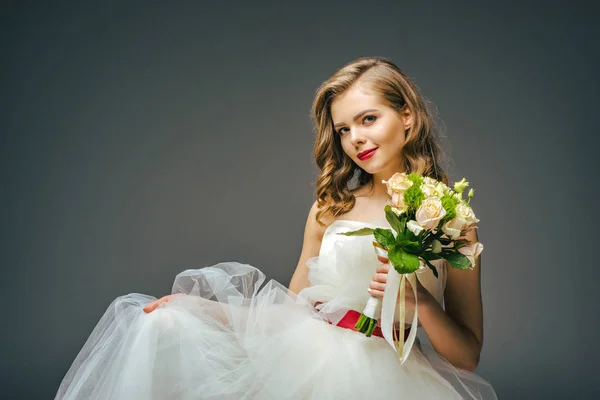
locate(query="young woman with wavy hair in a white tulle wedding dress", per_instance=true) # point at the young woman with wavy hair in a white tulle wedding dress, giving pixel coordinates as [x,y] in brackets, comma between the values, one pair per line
[218,336]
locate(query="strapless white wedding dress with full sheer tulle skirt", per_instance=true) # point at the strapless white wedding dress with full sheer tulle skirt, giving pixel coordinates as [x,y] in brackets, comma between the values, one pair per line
[231,339]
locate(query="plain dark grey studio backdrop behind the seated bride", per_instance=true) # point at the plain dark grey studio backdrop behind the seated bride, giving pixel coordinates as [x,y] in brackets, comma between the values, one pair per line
[139,139]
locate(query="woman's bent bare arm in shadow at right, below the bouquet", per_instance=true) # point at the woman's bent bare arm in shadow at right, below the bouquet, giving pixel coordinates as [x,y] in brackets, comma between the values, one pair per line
[457,333]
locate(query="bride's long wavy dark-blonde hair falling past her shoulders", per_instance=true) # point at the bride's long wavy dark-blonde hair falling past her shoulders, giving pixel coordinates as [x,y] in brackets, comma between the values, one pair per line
[421,151]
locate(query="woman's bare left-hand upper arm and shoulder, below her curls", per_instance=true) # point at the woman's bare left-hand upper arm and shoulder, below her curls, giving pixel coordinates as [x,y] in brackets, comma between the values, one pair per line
[311,244]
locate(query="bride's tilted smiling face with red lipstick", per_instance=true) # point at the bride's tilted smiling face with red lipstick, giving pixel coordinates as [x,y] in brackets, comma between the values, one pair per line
[364,121]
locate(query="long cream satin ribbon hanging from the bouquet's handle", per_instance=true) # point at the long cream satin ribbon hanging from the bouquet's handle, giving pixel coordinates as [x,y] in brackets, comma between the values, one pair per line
[396,283]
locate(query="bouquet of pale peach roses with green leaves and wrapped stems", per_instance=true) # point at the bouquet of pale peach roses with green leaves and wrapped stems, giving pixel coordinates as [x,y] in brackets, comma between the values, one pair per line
[427,219]
